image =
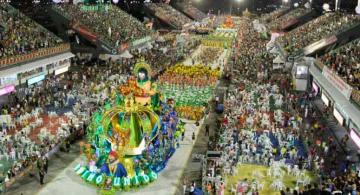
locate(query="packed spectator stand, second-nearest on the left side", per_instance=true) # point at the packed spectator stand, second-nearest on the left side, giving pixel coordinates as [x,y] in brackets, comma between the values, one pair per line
[111,37]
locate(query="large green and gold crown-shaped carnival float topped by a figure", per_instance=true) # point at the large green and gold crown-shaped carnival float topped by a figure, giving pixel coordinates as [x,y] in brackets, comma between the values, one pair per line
[131,138]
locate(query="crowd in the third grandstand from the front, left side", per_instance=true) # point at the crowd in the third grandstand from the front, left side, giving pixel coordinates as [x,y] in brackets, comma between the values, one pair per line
[168,13]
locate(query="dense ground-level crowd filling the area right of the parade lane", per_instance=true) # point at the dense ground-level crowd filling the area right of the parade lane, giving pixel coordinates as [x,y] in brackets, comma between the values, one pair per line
[289,128]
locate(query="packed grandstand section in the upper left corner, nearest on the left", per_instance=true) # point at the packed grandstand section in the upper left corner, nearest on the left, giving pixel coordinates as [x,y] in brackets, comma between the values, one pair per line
[22,39]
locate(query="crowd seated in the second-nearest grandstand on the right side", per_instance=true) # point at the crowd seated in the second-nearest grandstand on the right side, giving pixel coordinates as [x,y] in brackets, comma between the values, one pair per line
[321,27]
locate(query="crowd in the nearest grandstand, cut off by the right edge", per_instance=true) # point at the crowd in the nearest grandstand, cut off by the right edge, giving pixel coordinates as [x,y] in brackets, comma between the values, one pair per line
[345,61]
